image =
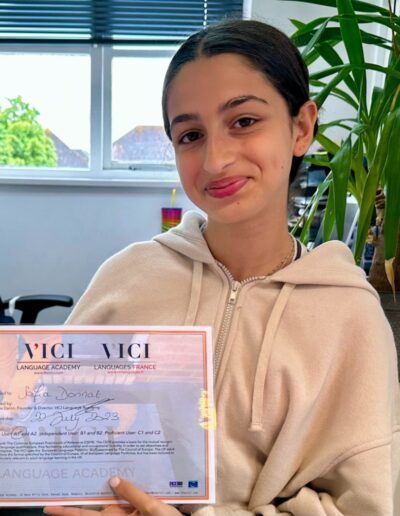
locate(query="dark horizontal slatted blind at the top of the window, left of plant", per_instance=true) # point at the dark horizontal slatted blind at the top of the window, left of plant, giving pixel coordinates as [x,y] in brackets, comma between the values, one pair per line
[109,21]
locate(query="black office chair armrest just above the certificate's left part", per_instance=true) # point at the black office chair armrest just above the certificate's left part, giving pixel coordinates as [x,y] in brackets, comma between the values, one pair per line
[30,306]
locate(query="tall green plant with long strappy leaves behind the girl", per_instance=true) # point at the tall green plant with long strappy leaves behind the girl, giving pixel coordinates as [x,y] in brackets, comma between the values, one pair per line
[367,161]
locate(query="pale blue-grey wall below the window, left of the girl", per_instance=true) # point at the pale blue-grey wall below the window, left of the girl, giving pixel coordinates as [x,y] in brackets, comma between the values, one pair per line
[53,238]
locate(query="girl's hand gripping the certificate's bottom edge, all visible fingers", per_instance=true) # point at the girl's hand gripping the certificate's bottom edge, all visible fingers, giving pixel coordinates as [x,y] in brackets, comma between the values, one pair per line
[141,503]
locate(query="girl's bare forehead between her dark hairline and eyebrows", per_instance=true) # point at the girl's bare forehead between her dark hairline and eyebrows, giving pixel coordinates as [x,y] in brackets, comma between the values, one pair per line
[208,81]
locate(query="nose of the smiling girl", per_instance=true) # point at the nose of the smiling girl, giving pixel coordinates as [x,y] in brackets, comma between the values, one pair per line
[219,153]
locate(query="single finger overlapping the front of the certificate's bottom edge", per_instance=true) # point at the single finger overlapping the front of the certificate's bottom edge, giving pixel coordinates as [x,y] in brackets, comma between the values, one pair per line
[144,503]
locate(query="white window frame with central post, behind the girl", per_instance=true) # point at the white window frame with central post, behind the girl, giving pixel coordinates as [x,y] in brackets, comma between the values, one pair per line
[102,170]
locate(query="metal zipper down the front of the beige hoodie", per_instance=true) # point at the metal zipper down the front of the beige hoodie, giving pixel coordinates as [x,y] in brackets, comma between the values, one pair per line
[235,287]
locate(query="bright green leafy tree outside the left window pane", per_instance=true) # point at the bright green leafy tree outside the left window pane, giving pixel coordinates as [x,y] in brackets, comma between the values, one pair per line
[23,141]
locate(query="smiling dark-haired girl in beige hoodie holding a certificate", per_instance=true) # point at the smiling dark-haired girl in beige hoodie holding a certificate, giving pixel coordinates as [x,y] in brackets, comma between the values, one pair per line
[306,387]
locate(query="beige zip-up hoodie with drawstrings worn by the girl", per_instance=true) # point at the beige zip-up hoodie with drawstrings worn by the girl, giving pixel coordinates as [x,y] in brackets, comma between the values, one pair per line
[307,397]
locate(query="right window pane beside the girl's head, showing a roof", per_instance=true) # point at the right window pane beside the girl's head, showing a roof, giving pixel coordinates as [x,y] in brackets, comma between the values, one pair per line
[137,133]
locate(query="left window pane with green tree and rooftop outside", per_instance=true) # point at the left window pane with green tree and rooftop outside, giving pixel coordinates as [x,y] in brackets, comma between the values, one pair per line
[45,102]
